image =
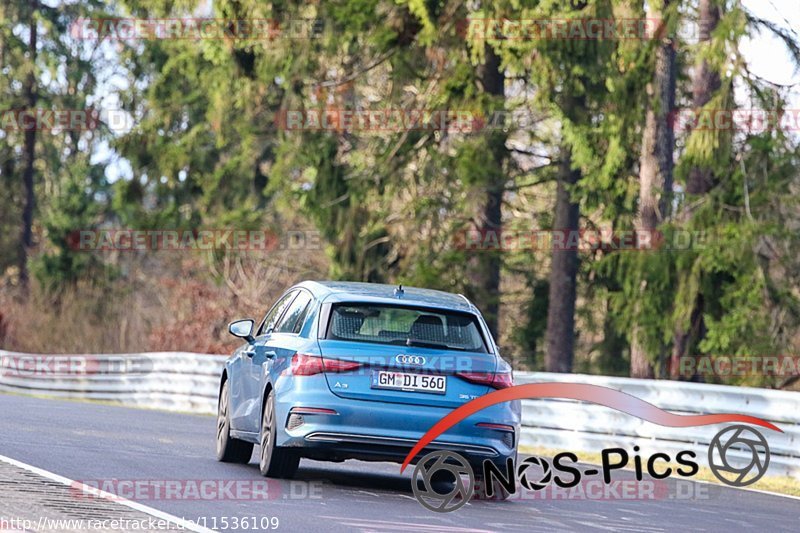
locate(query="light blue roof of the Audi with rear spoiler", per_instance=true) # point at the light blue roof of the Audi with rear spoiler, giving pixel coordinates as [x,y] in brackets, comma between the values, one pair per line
[351,291]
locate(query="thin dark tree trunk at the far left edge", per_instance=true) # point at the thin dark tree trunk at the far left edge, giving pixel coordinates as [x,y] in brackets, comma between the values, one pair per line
[29,153]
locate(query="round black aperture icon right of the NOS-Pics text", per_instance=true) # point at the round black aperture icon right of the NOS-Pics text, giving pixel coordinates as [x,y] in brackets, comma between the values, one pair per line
[738,456]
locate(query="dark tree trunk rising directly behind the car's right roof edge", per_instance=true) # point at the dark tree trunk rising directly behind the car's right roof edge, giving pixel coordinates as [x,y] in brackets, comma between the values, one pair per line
[487,264]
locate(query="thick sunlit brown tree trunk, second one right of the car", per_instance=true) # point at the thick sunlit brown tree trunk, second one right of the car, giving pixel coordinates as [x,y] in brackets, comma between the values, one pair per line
[656,163]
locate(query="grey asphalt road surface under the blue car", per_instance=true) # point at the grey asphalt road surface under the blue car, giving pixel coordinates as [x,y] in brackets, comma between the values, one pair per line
[97,443]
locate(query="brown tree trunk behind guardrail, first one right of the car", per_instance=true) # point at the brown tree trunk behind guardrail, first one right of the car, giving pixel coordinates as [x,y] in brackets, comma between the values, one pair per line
[563,273]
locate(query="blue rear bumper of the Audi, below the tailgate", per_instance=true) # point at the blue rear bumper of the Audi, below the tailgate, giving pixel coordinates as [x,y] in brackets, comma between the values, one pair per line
[382,431]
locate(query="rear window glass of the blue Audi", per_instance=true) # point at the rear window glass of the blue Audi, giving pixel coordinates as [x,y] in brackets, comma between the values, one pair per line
[408,326]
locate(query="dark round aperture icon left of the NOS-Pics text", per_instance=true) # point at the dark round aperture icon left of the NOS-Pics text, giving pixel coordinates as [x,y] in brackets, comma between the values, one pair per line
[438,481]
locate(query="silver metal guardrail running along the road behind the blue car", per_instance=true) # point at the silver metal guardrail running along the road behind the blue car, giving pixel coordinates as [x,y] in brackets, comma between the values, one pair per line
[180,381]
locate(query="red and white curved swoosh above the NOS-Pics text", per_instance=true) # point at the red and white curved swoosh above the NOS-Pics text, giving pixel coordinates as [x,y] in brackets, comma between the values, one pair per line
[579,391]
